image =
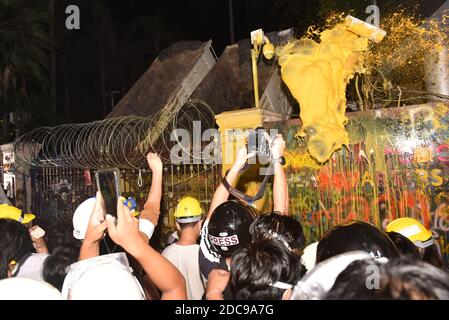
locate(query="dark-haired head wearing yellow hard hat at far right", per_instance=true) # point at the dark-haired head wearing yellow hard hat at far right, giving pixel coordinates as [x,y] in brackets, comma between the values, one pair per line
[412,229]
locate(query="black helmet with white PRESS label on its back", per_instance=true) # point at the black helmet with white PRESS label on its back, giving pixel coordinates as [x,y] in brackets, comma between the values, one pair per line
[228,228]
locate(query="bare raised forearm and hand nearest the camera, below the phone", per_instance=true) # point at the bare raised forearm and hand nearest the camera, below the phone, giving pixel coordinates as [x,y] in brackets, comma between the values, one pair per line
[160,271]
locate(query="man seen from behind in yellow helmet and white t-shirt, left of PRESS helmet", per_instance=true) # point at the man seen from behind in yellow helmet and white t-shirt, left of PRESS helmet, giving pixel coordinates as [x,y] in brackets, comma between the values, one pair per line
[184,253]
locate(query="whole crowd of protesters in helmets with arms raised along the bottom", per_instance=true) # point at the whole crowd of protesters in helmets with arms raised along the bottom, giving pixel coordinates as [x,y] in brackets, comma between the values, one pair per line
[228,252]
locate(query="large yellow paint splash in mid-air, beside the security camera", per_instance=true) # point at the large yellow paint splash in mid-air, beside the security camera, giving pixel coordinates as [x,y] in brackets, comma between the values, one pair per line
[317,74]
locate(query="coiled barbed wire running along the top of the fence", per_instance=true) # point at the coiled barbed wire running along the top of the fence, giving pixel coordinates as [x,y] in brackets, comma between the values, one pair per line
[121,142]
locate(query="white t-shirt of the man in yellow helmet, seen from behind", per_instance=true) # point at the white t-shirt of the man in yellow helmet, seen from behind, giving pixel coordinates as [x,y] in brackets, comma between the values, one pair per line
[185,258]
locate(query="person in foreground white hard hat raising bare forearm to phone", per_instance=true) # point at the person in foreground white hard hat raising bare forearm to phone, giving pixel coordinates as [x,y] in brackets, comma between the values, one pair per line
[109,276]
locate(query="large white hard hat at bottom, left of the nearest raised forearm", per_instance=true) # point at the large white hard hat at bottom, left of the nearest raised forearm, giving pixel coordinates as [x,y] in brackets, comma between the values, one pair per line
[106,277]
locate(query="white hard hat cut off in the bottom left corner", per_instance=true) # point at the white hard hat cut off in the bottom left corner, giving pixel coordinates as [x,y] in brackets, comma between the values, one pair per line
[27,289]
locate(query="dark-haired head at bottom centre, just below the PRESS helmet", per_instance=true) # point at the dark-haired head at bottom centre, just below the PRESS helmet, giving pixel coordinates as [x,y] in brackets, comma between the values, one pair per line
[262,263]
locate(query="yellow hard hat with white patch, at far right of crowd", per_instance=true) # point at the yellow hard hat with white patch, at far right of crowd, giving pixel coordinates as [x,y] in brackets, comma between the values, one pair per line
[413,230]
